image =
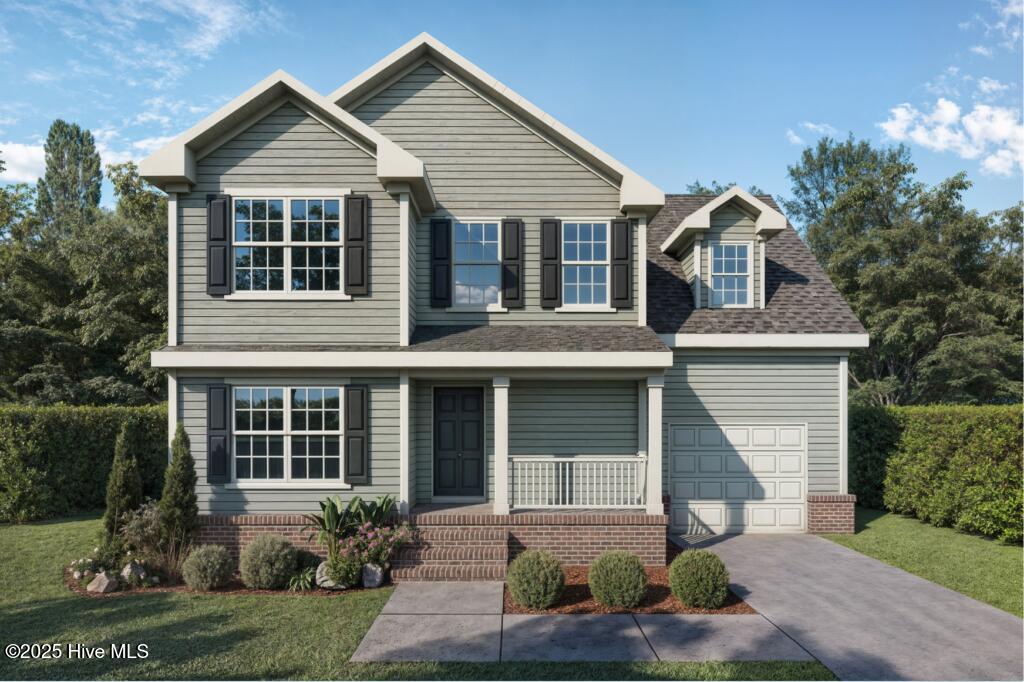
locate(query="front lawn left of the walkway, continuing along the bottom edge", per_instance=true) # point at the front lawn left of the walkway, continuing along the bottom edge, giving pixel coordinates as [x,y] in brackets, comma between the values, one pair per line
[245,637]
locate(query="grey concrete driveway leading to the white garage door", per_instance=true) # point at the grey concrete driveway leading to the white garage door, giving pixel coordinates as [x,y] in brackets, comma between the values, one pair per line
[866,620]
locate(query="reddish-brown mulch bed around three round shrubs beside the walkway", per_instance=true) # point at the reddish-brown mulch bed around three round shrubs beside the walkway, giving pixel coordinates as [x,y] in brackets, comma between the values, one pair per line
[578,600]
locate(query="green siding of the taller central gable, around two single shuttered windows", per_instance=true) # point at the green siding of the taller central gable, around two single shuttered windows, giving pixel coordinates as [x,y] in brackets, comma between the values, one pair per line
[484,164]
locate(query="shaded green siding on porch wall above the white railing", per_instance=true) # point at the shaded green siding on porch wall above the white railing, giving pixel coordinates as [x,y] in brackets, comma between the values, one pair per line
[573,418]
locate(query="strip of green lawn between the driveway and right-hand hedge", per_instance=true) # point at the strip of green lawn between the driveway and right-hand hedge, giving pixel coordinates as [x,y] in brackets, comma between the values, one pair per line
[973,566]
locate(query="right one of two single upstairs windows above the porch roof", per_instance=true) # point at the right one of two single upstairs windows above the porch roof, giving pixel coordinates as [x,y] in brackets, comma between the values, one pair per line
[585,264]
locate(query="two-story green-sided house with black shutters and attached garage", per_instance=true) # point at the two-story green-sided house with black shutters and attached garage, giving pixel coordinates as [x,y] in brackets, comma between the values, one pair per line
[424,286]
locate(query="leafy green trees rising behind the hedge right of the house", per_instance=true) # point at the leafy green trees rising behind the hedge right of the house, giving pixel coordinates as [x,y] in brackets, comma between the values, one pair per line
[937,286]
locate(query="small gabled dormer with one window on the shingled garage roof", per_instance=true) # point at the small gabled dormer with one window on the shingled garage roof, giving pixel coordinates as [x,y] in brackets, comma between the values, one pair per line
[721,249]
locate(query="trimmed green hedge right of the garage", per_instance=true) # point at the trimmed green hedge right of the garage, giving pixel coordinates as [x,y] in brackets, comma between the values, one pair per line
[955,466]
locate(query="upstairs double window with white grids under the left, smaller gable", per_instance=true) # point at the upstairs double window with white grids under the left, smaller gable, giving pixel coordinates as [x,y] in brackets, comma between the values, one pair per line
[288,246]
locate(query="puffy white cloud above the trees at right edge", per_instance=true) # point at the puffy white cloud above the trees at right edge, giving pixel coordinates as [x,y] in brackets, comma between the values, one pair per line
[994,134]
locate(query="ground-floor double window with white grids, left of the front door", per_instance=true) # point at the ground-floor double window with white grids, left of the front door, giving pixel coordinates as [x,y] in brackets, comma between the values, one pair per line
[288,434]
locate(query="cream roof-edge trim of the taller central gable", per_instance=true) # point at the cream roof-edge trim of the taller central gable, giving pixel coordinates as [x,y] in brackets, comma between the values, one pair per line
[635,192]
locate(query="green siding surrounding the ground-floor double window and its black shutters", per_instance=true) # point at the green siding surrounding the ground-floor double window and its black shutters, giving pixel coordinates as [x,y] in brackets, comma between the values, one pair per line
[222,500]
